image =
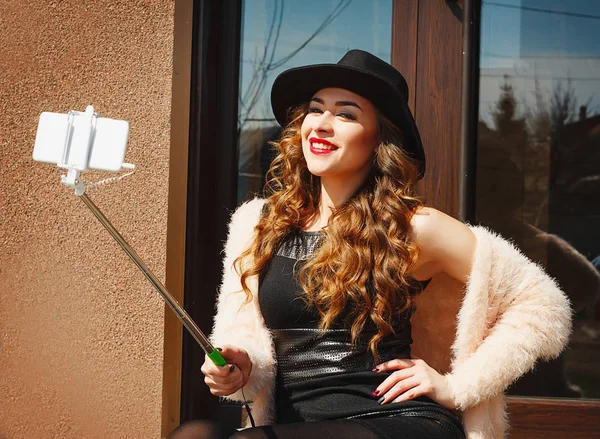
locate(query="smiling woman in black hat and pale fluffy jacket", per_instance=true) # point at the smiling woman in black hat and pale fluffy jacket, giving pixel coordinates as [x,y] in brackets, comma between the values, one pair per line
[320,279]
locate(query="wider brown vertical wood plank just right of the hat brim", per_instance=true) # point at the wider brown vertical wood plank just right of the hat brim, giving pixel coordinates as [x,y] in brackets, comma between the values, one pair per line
[438,102]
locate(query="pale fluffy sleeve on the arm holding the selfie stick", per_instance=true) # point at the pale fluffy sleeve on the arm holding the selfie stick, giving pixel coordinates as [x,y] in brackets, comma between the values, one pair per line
[239,324]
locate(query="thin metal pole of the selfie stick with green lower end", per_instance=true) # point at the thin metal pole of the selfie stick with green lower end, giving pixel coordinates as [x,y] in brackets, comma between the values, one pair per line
[181,314]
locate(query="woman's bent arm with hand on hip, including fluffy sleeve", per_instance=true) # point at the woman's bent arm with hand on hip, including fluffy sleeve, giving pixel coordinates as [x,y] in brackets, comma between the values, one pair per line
[532,316]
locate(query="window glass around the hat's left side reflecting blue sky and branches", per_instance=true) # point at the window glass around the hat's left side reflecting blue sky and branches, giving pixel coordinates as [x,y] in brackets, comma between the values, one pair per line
[278,35]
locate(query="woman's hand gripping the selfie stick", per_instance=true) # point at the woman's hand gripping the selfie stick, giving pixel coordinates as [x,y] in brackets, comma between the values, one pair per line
[228,379]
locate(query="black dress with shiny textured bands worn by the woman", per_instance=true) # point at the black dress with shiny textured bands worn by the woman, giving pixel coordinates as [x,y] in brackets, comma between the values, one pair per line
[321,376]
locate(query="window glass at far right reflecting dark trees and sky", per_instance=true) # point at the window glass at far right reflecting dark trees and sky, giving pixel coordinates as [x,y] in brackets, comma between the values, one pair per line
[538,170]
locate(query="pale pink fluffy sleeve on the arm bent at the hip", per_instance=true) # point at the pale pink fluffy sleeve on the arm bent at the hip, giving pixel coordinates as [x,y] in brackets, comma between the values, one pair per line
[512,314]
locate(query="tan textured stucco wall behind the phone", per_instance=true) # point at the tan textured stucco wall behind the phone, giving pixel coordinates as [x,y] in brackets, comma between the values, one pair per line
[81,330]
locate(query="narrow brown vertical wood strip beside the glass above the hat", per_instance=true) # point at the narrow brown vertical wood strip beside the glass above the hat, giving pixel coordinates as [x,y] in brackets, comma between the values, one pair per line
[404,43]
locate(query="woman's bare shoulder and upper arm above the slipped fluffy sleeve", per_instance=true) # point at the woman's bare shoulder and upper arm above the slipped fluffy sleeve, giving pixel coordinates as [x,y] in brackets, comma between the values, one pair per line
[445,244]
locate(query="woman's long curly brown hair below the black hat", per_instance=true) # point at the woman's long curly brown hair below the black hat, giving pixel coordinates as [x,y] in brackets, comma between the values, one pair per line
[365,253]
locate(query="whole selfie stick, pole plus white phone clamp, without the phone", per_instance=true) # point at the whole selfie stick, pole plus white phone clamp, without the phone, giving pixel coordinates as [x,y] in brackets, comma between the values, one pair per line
[72,180]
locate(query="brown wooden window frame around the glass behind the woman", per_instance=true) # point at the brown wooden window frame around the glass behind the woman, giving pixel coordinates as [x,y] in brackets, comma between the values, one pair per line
[203,181]
